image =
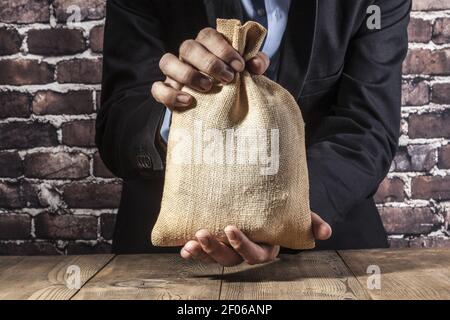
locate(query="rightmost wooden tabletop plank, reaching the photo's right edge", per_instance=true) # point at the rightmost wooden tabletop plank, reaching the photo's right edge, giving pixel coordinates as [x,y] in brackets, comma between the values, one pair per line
[405,273]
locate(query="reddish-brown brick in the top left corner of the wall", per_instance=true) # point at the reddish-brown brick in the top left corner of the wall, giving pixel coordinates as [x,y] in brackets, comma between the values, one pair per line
[24,11]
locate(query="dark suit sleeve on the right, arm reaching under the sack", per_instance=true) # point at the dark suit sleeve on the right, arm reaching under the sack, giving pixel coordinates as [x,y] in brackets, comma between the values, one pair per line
[351,151]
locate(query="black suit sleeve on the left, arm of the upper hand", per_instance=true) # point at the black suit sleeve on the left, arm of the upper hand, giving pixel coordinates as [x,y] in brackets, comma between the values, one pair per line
[129,117]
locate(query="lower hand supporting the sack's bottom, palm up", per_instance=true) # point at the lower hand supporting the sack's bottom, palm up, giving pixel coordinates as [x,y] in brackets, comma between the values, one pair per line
[208,249]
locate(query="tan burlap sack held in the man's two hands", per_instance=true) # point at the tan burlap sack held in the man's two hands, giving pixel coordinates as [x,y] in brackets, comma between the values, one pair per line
[227,166]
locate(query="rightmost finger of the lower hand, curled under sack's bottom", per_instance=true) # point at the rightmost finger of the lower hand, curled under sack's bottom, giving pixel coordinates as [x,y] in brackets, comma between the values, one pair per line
[251,252]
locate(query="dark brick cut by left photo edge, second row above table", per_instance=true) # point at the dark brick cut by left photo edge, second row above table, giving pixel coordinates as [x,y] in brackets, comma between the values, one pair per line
[15,226]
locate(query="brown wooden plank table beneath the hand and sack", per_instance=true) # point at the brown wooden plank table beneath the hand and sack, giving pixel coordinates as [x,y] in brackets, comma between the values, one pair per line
[404,274]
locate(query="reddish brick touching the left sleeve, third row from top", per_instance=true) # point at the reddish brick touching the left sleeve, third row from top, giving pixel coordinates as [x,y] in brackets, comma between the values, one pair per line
[87,71]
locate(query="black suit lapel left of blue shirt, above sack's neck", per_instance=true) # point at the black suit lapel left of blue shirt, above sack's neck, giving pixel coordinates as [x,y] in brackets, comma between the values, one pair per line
[226,9]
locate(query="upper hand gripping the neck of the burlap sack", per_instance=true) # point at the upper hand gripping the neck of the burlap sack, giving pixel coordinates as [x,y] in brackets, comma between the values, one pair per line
[209,56]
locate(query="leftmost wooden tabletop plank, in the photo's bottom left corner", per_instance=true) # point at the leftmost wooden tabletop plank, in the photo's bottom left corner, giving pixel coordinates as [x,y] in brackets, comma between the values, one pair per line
[44,277]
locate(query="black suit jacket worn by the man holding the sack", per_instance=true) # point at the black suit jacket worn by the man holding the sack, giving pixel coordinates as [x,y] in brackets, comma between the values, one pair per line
[345,77]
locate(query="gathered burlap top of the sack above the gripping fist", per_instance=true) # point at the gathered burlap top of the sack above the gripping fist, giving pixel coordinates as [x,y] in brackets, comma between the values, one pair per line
[246,39]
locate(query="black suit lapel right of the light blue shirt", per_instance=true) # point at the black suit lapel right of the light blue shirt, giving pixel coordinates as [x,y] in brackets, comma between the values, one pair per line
[297,45]
